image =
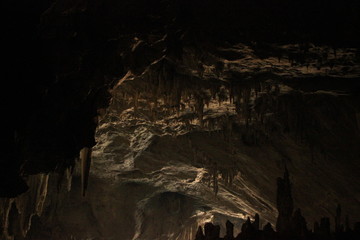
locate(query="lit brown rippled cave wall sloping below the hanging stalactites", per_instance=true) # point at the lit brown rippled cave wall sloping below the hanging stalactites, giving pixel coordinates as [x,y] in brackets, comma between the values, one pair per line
[156,179]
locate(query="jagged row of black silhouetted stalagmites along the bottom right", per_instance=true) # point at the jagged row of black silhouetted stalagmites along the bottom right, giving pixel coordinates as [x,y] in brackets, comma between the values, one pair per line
[296,228]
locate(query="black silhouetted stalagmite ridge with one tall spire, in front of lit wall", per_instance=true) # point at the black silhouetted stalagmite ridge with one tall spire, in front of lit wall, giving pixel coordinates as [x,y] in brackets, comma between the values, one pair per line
[294,228]
